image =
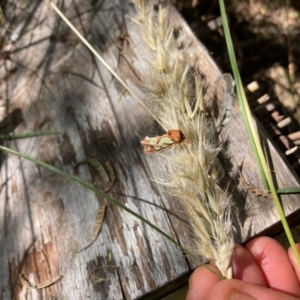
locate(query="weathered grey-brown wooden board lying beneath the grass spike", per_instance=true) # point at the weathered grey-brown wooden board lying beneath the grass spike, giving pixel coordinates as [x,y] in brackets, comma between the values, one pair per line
[56,84]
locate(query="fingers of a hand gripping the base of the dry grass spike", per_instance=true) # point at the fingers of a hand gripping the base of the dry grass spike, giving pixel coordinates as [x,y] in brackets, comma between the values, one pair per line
[263,270]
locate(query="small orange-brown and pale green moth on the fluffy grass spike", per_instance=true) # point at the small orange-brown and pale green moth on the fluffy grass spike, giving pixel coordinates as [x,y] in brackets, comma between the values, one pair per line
[162,142]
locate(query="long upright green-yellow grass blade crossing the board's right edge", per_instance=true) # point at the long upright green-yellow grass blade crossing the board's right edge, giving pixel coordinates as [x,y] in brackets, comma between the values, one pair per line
[253,133]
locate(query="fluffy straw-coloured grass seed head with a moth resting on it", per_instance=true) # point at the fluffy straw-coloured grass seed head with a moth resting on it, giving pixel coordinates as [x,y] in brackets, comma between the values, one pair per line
[175,88]
